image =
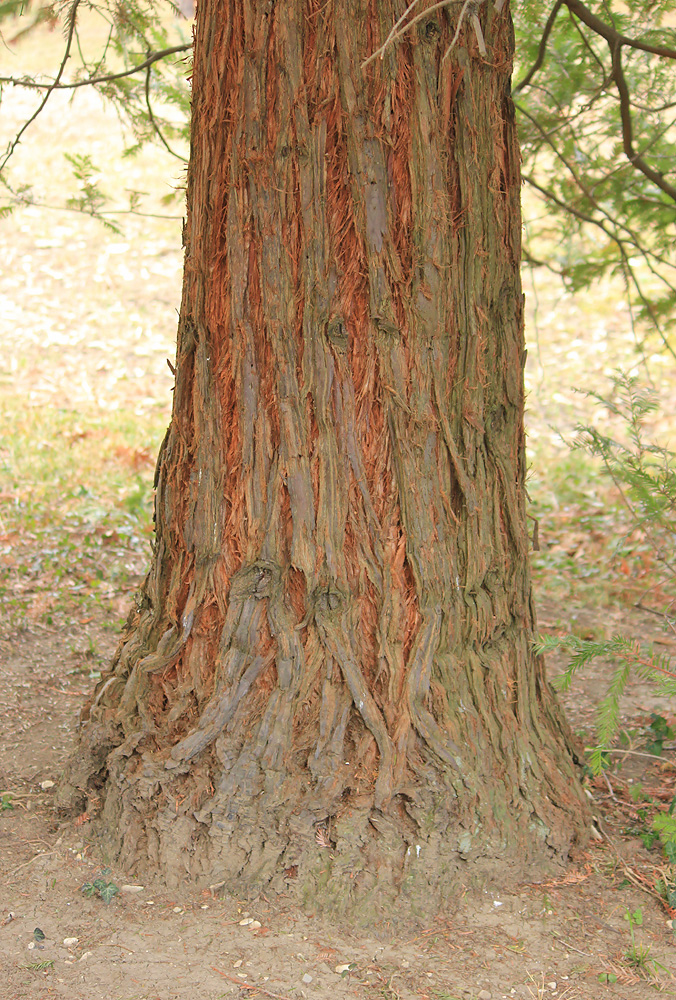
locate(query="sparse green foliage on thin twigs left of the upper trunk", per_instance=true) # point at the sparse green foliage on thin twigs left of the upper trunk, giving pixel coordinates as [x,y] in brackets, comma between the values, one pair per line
[140,69]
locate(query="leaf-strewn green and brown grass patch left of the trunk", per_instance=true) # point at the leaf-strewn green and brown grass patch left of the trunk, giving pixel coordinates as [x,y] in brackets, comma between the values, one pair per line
[75,511]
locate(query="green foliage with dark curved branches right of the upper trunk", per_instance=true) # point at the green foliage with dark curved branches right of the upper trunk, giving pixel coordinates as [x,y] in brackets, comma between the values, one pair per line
[599,151]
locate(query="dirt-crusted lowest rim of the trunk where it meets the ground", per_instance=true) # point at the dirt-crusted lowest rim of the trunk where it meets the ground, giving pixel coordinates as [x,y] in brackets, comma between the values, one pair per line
[356,863]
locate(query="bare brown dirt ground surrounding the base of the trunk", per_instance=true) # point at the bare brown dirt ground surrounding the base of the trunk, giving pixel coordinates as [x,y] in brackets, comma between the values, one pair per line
[553,937]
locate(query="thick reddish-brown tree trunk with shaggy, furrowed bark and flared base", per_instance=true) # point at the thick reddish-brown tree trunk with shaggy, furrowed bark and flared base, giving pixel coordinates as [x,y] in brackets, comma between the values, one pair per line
[328,679]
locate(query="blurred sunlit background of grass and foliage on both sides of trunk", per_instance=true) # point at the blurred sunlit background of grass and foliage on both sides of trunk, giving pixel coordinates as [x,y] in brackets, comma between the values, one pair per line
[87,401]
